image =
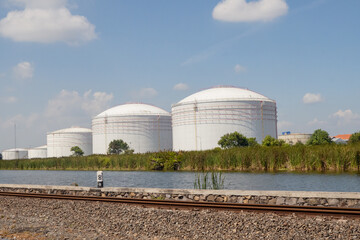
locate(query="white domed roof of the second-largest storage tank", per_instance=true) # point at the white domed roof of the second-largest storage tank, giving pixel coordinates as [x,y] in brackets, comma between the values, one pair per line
[133,109]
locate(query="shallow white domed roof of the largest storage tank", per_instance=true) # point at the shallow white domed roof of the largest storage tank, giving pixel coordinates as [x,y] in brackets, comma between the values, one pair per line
[224,93]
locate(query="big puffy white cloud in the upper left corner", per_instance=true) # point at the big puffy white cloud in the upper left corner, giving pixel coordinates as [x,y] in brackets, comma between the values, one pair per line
[46,21]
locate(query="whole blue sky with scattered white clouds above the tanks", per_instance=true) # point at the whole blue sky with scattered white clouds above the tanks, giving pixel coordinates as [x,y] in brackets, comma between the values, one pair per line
[62,62]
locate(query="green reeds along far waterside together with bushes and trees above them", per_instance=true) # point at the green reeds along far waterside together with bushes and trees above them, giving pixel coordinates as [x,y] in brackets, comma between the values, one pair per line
[238,153]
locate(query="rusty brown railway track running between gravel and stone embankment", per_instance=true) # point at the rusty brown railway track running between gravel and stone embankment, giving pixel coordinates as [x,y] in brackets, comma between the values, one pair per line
[285,209]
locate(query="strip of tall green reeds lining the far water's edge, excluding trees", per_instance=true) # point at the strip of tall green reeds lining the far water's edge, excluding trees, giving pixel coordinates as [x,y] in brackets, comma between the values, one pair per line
[338,158]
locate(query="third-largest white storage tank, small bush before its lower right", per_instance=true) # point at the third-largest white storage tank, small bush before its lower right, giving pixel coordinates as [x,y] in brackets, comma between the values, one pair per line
[59,143]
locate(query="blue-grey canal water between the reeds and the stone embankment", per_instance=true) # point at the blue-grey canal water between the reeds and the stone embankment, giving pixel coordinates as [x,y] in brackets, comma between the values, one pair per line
[185,180]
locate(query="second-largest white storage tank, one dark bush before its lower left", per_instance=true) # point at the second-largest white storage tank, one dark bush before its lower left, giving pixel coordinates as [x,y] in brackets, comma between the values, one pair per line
[145,128]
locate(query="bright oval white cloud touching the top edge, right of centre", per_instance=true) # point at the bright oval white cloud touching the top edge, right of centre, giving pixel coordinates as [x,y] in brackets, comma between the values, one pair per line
[249,11]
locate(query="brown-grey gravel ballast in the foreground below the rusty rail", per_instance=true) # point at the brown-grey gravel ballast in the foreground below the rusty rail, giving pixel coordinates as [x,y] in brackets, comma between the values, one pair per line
[27,218]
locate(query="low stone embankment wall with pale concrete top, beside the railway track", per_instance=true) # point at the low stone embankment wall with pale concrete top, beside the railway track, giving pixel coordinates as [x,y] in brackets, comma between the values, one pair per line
[333,199]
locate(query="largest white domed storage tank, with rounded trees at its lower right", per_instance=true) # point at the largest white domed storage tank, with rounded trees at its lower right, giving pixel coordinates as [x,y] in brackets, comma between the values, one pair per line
[201,119]
